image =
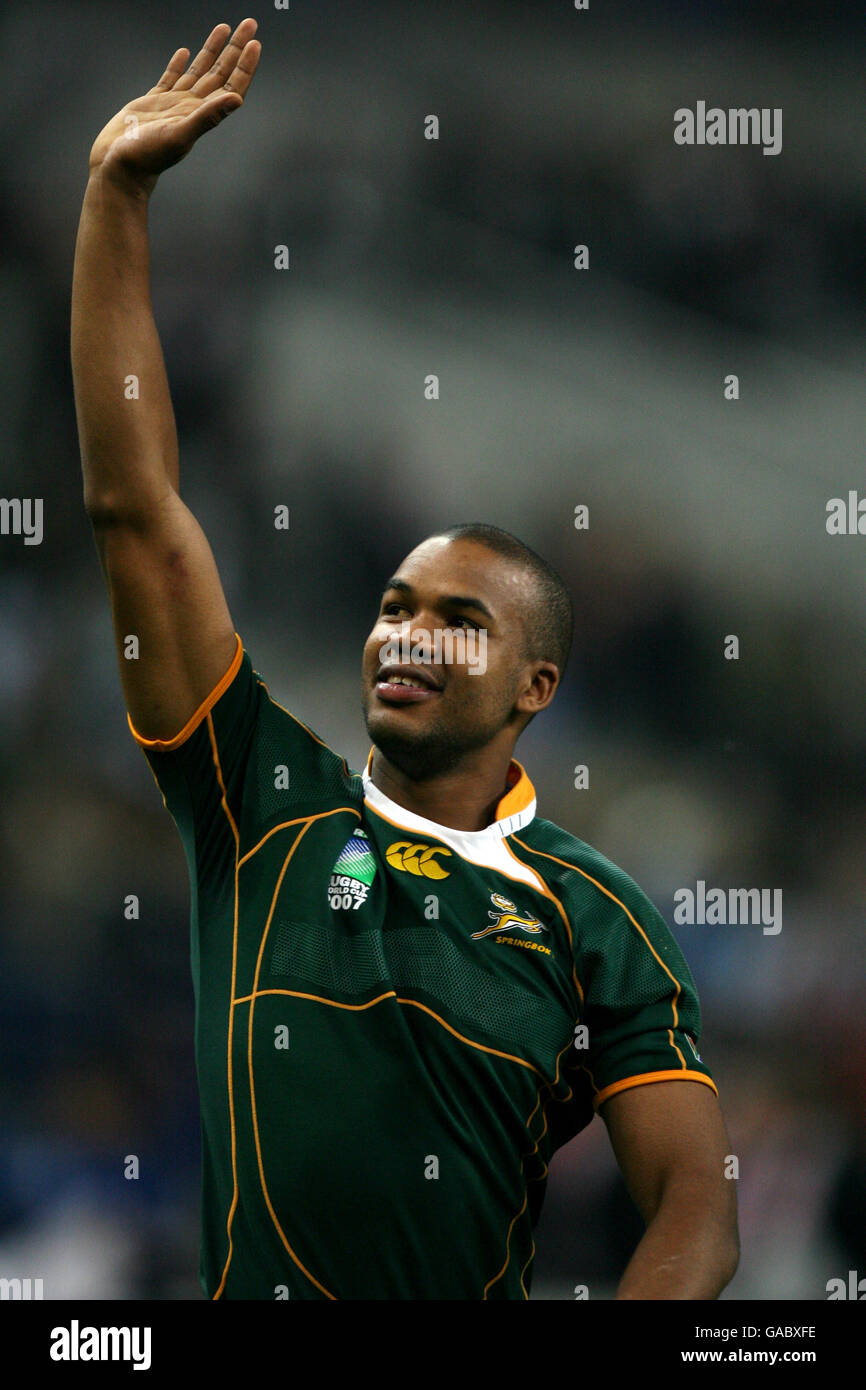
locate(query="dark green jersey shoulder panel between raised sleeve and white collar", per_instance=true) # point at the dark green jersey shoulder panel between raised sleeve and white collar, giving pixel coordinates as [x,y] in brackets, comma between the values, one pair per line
[318,775]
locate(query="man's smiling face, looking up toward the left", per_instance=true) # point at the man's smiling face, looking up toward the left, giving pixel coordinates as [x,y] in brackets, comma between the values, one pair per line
[451,605]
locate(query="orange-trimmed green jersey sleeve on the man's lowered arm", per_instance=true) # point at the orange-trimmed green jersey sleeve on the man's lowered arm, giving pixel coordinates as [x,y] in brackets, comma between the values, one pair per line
[642,1007]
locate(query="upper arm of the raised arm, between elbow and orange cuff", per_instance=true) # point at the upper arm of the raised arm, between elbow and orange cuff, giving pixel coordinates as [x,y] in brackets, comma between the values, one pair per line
[172,623]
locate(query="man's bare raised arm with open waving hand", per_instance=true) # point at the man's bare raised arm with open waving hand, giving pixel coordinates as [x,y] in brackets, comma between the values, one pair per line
[159,568]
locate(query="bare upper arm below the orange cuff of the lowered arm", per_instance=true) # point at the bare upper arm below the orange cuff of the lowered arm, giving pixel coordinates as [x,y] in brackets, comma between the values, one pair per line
[669,1131]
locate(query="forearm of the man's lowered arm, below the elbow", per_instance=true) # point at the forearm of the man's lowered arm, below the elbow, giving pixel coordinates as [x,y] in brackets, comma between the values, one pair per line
[687,1252]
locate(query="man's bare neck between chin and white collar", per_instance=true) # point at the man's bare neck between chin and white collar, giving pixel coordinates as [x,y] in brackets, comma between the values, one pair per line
[462,799]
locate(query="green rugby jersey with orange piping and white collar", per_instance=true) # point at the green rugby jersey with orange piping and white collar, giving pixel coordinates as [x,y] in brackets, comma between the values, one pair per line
[397,1024]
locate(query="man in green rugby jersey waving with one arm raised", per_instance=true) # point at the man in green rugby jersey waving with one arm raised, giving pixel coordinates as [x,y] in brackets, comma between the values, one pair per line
[411,990]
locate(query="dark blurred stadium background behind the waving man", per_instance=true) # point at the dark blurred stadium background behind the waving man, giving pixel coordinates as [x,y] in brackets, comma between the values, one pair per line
[558,387]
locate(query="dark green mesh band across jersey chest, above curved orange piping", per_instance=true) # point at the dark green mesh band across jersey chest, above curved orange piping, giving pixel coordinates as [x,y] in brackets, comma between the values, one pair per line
[351,964]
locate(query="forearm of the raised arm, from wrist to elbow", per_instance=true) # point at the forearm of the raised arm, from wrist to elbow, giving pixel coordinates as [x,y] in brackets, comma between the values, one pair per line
[127,430]
